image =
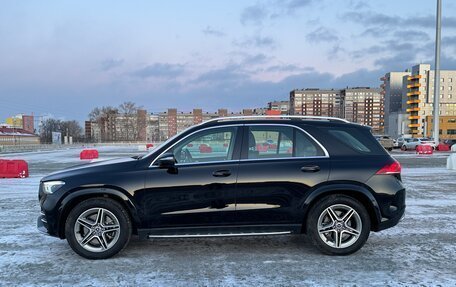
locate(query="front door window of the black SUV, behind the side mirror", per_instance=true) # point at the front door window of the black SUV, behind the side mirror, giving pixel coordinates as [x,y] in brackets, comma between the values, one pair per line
[206,146]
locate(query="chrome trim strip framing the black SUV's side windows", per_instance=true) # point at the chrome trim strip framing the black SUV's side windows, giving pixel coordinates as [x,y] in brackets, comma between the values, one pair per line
[245,160]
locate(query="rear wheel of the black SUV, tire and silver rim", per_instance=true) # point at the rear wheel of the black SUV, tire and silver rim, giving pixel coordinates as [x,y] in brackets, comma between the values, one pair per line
[353,232]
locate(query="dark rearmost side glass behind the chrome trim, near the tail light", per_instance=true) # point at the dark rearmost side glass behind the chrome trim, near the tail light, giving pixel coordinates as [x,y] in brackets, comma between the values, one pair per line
[357,139]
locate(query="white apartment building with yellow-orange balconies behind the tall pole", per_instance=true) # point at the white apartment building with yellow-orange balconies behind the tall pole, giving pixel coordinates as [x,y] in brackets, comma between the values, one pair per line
[420,100]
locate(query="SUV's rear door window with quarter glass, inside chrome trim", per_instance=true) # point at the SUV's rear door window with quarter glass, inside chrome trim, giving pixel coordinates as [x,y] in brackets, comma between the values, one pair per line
[280,142]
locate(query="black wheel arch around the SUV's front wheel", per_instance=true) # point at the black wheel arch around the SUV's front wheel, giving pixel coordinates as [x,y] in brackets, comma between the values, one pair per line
[75,197]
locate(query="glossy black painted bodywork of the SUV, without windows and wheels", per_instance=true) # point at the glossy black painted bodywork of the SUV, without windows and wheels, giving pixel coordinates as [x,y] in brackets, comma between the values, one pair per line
[159,198]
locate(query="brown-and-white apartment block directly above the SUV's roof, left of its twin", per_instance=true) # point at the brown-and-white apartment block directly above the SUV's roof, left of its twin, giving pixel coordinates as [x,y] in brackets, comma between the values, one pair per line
[316,102]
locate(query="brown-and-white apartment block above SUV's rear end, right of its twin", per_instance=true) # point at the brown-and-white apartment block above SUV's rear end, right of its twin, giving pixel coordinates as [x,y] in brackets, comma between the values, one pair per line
[364,105]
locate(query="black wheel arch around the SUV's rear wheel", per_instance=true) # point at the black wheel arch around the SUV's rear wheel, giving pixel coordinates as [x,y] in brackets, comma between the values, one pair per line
[355,190]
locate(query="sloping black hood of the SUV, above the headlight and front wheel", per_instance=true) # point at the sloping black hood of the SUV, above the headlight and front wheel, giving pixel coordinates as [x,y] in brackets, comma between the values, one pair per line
[93,167]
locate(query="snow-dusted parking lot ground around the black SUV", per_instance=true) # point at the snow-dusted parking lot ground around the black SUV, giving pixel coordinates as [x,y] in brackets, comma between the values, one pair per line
[421,250]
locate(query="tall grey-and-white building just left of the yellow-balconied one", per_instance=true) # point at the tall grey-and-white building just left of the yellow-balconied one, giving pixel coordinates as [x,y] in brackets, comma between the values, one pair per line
[392,90]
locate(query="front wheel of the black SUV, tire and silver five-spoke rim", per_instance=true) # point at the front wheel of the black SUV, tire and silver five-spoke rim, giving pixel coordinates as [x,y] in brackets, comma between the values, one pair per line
[98,228]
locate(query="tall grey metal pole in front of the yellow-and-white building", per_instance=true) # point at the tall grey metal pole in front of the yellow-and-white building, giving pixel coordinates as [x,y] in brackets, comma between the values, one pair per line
[437,73]
